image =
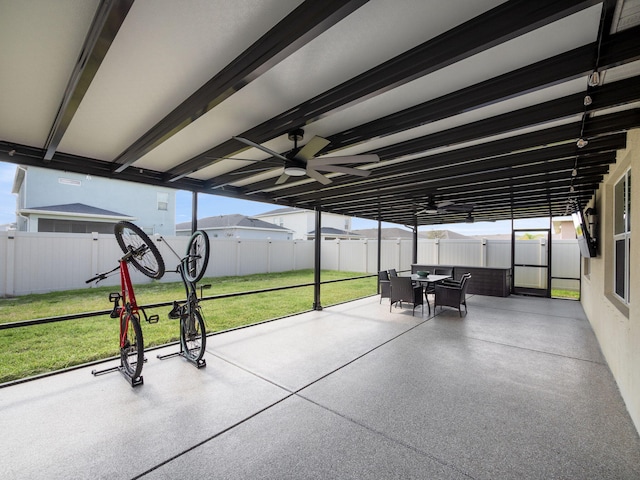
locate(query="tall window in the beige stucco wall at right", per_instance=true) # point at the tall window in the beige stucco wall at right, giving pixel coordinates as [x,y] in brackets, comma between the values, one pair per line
[622,236]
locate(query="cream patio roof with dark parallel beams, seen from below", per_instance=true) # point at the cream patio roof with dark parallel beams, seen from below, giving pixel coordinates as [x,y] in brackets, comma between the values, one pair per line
[479,104]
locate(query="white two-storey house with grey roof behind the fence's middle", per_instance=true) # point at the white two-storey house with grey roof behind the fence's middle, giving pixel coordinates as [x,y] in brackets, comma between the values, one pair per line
[303,223]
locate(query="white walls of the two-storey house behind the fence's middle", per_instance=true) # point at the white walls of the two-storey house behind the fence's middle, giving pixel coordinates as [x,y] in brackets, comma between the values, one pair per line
[304,221]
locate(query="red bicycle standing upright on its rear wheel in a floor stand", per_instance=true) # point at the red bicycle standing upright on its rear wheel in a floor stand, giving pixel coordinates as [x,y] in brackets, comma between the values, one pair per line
[140,251]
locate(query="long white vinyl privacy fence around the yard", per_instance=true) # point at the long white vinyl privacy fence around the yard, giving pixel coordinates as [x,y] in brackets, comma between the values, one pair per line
[44,262]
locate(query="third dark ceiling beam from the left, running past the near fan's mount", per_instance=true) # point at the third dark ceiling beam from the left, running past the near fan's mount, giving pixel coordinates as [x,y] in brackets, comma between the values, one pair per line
[503,23]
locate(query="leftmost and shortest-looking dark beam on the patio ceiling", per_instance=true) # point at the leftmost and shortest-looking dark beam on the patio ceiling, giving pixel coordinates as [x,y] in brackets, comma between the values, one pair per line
[105,26]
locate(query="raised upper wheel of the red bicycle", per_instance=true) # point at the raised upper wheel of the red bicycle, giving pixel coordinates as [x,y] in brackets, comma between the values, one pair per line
[146,257]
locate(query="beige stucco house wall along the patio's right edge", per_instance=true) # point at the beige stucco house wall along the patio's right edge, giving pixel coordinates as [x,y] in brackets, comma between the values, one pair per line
[616,326]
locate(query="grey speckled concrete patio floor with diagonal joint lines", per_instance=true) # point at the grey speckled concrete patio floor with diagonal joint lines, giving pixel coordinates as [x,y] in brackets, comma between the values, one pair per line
[516,389]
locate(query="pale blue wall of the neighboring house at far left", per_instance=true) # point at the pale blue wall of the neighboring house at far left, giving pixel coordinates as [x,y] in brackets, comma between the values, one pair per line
[153,208]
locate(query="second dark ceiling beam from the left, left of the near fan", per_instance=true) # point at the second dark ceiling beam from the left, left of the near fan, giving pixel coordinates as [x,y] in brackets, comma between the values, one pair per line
[302,25]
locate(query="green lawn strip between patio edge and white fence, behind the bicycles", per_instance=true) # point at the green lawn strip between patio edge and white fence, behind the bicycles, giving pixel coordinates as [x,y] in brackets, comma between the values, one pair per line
[28,351]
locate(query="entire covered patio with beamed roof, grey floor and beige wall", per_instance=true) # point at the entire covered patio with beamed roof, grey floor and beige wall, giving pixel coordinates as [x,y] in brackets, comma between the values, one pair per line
[447,112]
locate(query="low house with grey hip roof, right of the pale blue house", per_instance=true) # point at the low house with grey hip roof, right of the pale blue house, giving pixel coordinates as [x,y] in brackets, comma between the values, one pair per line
[237,226]
